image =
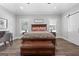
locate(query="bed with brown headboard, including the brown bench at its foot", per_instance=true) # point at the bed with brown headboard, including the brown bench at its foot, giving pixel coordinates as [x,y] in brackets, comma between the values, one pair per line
[38,42]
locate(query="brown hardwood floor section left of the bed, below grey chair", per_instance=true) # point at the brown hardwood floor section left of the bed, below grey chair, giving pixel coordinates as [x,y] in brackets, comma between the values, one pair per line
[13,50]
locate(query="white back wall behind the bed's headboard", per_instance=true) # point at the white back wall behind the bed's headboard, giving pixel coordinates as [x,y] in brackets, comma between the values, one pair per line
[48,19]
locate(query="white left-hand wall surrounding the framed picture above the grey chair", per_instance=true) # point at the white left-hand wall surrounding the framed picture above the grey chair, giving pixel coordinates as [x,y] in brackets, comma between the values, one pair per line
[11,20]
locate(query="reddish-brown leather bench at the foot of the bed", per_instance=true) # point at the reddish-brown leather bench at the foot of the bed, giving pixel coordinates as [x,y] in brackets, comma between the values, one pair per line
[37,48]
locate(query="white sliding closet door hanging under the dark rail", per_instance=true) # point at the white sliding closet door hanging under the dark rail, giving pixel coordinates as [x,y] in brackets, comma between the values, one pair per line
[73,28]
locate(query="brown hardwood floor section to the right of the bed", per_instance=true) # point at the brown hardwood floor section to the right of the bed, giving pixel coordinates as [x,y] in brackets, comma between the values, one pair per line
[66,48]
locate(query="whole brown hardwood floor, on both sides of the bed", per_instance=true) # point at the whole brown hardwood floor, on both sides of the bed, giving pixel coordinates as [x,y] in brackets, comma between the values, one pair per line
[63,48]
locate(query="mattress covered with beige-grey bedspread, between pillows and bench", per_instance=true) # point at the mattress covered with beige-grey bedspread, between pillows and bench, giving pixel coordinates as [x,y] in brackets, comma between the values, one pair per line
[40,35]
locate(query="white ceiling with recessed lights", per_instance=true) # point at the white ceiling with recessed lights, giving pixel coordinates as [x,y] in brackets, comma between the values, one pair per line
[37,8]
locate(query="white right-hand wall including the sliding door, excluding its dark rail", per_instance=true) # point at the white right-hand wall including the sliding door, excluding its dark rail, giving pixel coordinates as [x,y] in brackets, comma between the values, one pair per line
[70,25]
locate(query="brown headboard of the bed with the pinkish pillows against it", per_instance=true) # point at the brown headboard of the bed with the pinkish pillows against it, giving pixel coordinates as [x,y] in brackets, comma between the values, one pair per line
[39,27]
